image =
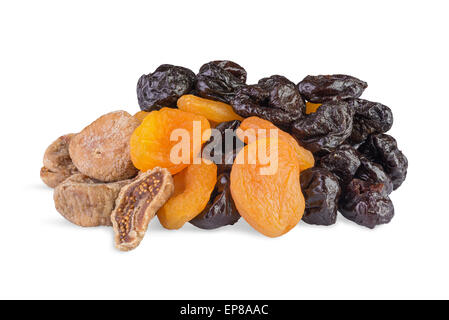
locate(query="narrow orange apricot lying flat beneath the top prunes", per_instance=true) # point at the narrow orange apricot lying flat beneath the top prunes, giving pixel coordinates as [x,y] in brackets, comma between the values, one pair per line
[212,110]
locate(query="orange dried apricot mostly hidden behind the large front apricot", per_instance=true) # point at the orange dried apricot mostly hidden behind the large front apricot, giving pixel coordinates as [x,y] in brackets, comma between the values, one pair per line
[250,133]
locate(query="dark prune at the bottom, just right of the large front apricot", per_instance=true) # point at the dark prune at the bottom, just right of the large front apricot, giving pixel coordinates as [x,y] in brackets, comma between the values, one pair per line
[321,192]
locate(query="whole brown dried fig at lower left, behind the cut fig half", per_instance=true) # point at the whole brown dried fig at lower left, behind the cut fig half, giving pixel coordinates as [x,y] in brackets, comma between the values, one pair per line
[85,201]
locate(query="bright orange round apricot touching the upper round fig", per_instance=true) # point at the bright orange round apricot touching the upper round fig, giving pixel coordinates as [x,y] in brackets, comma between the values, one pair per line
[151,146]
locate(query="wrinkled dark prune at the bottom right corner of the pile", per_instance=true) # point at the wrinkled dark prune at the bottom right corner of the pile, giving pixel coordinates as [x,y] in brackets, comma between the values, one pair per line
[366,204]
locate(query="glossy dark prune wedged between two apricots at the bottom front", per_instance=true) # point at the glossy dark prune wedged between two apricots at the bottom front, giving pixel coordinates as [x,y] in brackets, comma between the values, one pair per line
[221,210]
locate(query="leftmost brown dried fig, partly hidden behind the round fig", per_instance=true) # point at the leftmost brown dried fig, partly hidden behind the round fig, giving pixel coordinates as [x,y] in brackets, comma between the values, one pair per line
[58,165]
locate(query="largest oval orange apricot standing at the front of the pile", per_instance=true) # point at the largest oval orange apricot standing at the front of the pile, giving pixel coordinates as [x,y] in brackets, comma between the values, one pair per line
[271,203]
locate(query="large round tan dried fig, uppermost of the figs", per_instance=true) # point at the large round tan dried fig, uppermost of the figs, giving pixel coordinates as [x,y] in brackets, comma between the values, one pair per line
[101,150]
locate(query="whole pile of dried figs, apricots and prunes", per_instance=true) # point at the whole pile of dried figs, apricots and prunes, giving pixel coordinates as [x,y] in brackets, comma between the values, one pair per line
[209,149]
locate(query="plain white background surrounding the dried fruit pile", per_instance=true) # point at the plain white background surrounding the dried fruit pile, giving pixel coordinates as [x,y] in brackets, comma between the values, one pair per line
[64,63]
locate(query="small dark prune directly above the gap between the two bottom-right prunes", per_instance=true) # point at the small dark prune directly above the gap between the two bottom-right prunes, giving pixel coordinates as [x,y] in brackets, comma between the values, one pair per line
[343,162]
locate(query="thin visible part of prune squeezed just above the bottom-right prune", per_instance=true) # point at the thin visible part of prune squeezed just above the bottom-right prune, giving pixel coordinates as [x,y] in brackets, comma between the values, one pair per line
[373,173]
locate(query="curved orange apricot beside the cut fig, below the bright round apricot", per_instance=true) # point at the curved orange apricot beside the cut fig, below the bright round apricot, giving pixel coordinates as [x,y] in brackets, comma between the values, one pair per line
[193,187]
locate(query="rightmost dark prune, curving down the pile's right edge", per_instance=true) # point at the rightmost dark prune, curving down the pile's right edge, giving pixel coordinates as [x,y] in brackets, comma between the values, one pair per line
[383,149]
